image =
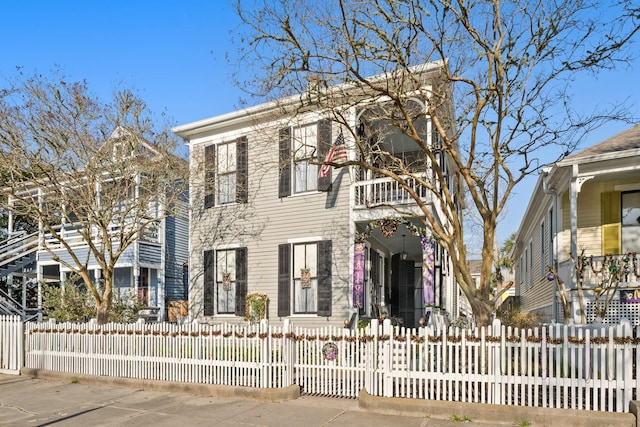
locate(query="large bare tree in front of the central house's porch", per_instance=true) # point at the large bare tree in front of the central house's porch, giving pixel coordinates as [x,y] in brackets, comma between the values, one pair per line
[499,103]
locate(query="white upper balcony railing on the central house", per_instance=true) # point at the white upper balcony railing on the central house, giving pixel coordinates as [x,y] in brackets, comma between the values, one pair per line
[385,191]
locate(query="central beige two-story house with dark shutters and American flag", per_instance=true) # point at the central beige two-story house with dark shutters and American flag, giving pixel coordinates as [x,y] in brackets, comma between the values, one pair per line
[322,246]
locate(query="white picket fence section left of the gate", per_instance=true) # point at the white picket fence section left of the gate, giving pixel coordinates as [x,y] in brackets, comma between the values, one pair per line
[226,354]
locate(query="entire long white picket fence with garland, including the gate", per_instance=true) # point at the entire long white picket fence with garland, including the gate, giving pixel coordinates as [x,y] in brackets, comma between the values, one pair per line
[556,367]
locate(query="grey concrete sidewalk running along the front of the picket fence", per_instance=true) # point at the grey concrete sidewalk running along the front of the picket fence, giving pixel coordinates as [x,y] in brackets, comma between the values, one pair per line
[25,401]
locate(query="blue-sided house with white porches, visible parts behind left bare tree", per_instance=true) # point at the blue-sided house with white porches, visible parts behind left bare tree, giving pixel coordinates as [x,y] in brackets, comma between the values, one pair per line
[152,268]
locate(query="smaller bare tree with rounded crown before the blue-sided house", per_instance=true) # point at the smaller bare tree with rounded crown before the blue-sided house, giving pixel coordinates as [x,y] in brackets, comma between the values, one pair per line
[96,177]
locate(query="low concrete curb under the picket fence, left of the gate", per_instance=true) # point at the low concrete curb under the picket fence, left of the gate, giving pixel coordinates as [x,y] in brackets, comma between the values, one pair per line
[209,390]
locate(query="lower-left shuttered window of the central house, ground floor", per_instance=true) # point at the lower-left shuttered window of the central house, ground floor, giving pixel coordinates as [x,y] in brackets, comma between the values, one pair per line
[225,281]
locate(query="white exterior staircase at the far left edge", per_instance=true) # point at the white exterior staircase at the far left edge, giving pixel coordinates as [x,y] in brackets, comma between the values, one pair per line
[18,257]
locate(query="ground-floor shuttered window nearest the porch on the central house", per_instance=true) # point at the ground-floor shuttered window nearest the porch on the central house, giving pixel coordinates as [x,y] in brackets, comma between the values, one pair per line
[304,278]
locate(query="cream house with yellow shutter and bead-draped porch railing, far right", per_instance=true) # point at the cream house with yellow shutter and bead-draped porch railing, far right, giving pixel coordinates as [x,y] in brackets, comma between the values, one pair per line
[583,220]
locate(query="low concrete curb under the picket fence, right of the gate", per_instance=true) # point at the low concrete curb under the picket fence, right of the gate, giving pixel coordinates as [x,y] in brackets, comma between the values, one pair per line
[499,414]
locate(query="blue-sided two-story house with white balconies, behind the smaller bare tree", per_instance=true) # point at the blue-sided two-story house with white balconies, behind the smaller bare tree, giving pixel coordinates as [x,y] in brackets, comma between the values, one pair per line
[151,267]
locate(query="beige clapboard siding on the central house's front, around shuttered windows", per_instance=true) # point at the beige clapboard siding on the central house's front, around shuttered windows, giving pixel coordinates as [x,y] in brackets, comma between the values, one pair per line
[269,221]
